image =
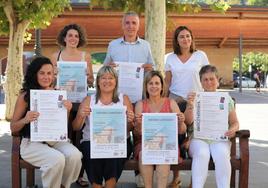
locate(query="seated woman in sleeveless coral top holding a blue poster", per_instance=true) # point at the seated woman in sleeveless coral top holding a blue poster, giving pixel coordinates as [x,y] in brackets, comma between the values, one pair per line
[155,102]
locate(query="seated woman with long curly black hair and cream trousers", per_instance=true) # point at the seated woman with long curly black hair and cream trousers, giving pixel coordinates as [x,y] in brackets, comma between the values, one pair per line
[60,163]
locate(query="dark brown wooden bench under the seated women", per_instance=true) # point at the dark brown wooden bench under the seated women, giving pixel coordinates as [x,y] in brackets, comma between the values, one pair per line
[239,162]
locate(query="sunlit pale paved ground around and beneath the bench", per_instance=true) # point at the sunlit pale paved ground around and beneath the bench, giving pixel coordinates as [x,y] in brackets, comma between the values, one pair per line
[252,111]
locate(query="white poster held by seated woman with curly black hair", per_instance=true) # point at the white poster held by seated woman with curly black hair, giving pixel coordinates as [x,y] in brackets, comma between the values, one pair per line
[51,124]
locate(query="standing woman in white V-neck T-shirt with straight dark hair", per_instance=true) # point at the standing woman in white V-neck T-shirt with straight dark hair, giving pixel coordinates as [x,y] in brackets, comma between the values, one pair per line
[181,74]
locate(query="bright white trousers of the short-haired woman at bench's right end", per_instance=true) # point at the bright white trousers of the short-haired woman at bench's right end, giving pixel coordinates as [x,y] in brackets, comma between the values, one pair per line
[200,152]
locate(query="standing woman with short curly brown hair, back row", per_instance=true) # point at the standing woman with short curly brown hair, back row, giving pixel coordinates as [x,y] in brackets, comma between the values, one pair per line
[70,38]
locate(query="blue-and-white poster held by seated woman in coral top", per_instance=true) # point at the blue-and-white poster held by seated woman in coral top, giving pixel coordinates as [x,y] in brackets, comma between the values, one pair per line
[159,138]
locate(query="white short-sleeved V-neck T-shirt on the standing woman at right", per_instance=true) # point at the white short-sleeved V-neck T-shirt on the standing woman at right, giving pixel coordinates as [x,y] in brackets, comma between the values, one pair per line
[185,76]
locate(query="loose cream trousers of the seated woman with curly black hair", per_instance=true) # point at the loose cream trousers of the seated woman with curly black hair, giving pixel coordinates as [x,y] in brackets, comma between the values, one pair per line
[60,163]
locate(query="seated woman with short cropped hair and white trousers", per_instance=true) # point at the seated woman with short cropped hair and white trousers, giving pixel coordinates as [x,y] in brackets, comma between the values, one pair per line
[201,149]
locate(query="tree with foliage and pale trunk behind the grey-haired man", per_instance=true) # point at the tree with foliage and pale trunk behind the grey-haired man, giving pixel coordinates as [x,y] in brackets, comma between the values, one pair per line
[155,17]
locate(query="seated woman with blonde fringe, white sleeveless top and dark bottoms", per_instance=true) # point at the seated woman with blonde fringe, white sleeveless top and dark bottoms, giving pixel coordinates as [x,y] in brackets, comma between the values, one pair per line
[106,95]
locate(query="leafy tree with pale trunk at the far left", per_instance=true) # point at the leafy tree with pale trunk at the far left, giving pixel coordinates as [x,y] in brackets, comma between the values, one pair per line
[16,16]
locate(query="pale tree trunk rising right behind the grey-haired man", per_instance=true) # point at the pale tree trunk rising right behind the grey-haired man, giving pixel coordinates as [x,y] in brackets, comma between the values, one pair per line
[155,29]
